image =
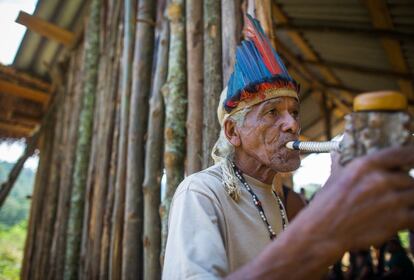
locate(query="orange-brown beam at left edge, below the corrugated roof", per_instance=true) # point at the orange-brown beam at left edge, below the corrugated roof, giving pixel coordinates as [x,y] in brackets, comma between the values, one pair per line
[7,87]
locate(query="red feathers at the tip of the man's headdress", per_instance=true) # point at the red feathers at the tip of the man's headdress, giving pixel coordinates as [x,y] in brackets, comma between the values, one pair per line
[263,45]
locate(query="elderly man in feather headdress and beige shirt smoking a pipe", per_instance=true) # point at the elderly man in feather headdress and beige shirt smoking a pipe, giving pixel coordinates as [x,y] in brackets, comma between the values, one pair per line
[230,221]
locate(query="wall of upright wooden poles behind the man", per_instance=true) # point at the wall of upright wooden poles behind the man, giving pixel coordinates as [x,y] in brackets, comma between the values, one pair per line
[130,104]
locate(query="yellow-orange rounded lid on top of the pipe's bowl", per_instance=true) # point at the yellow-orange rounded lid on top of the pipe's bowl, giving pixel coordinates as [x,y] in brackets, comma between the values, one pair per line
[380,101]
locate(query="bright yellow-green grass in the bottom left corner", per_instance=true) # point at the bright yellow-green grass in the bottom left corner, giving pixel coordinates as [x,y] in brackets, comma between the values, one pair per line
[11,250]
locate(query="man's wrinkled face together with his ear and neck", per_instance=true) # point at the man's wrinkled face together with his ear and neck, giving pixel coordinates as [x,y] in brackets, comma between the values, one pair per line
[260,142]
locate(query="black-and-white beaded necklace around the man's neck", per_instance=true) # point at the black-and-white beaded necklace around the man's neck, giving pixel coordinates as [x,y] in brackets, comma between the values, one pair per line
[258,203]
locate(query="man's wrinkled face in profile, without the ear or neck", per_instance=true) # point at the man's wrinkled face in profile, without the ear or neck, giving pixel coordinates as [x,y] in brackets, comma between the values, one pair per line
[267,128]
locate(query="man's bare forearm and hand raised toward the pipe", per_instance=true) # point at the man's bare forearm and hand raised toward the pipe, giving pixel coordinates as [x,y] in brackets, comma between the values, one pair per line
[362,204]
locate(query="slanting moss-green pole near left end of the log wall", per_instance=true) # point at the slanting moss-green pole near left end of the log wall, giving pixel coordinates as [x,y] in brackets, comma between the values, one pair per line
[83,145]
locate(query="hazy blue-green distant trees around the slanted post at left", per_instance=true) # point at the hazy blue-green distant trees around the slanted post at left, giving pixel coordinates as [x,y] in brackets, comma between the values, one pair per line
[16,207]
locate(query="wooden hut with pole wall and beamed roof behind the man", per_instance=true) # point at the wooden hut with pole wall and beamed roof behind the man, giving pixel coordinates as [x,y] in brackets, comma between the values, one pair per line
[121,75]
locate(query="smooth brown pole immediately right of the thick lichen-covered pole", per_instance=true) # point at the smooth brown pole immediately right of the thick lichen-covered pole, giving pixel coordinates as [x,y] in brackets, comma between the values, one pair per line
[194,24]
